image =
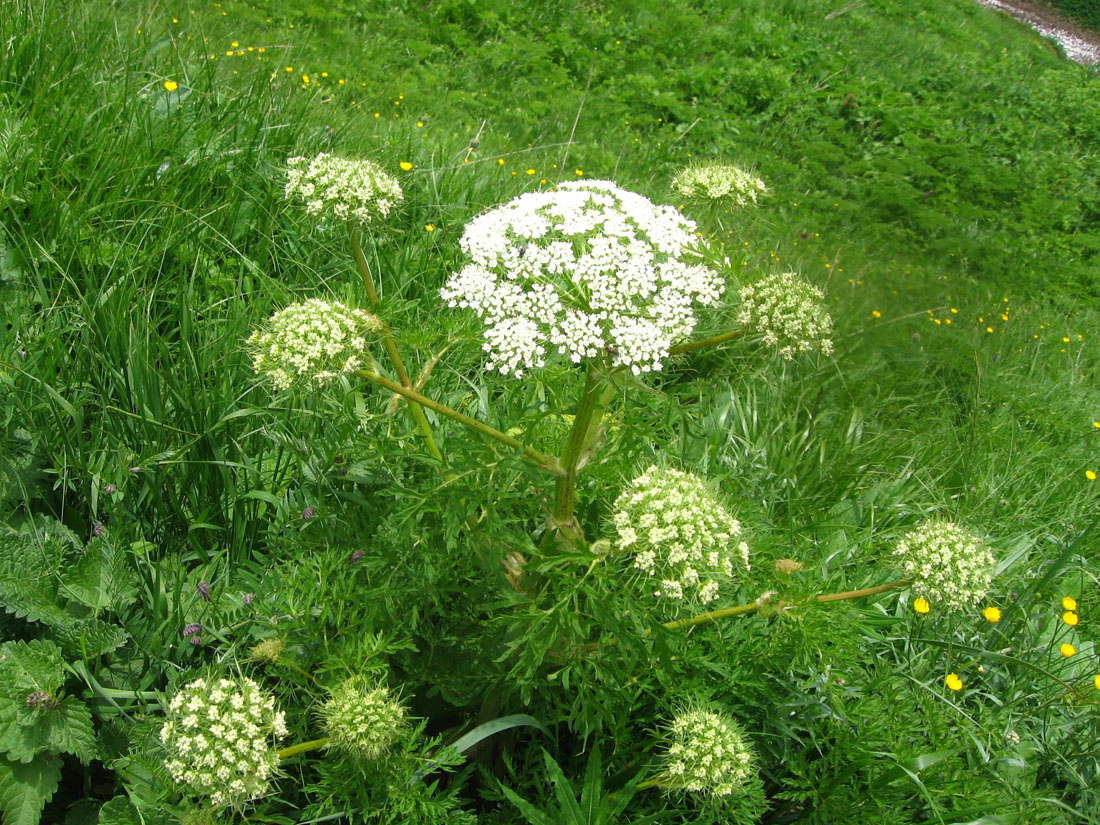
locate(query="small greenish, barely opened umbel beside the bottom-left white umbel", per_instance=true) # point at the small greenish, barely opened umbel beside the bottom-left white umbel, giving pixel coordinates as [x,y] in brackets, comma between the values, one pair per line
[362,718]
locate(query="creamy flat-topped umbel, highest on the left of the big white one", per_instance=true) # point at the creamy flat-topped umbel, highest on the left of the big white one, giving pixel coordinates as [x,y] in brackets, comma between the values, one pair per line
[335,188]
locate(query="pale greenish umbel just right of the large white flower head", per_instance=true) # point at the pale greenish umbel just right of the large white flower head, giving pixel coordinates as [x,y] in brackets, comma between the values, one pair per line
[790,313]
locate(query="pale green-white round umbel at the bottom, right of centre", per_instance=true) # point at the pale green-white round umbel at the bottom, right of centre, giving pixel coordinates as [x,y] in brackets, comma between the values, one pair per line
[708,754]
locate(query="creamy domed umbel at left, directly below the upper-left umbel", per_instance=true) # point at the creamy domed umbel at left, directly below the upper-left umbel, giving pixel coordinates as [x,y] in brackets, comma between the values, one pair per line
[316,340]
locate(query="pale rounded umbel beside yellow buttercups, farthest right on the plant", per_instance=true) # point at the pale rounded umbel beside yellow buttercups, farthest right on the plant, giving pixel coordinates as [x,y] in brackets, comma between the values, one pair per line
[949,565]
